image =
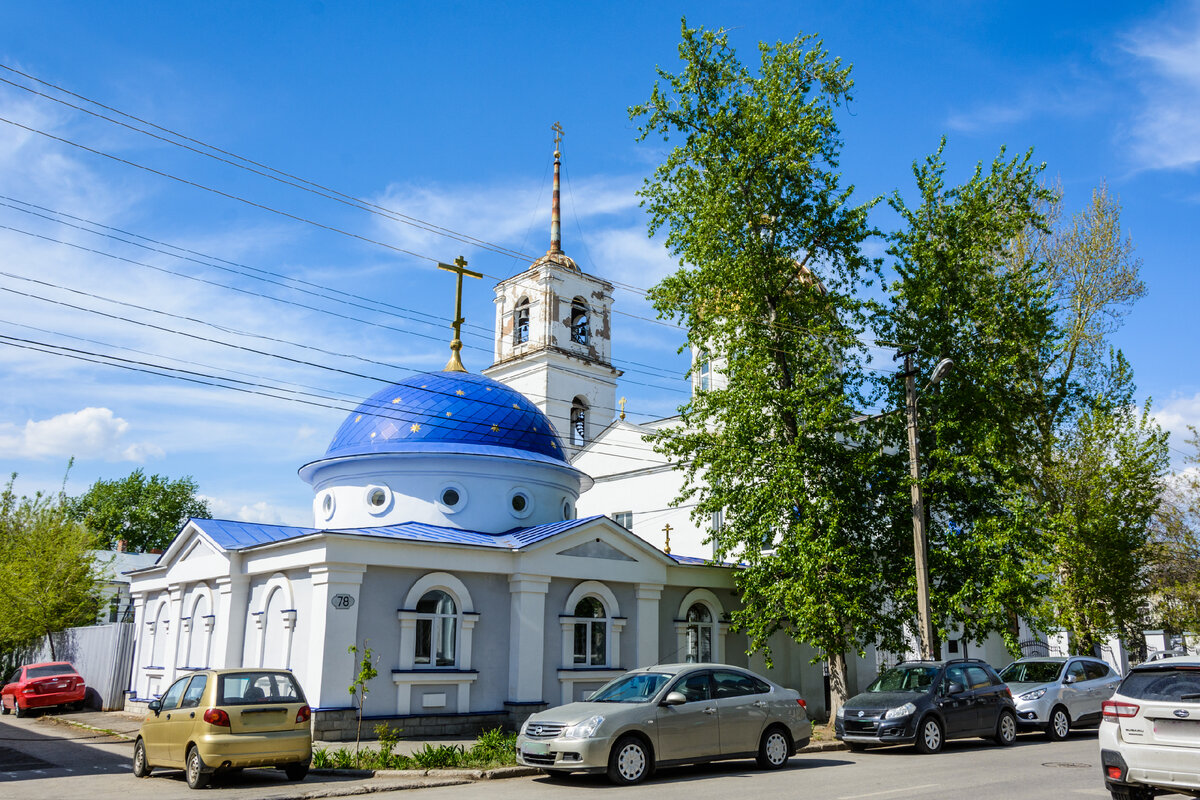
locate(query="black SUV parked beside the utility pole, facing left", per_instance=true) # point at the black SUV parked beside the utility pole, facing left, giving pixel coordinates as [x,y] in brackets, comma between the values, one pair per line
[928,702]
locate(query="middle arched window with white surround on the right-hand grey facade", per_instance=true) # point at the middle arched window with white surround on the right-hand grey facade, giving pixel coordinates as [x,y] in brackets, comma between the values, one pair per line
[592,627]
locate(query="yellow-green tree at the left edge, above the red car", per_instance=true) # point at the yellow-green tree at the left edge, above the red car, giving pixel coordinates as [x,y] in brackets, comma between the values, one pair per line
[50,575]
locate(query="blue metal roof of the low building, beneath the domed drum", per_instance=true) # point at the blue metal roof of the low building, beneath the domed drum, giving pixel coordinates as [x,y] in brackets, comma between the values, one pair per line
[241,536]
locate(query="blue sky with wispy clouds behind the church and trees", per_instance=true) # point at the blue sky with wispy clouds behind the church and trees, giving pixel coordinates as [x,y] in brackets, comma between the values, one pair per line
[442,112]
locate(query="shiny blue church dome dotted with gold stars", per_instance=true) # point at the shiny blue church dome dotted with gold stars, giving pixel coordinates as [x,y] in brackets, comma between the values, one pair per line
[449,413]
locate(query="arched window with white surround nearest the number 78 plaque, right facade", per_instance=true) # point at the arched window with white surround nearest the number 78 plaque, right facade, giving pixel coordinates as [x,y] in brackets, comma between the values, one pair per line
[437,627]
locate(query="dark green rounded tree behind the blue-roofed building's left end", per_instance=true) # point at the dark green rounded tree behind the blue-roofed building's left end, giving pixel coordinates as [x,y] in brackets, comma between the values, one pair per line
[145,513]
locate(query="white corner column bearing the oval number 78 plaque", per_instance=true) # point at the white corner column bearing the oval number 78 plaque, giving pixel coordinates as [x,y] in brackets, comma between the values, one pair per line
[331,666]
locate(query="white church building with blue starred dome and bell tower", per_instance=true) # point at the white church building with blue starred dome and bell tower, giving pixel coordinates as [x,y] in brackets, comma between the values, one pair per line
[448,539]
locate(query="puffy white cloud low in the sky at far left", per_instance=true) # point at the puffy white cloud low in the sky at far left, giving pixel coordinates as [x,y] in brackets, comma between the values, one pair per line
[87,434]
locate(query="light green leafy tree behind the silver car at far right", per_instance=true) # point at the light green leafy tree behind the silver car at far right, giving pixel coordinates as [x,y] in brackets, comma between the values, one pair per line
[1107,479]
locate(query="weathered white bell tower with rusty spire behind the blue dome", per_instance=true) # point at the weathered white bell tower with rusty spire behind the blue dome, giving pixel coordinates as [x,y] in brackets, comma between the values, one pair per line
[554,341]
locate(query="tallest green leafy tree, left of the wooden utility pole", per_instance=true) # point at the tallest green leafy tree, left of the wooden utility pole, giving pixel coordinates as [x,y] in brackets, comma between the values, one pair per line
[771,272]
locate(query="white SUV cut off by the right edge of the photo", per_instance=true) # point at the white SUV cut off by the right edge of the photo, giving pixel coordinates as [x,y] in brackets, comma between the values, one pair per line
[1150,731]
